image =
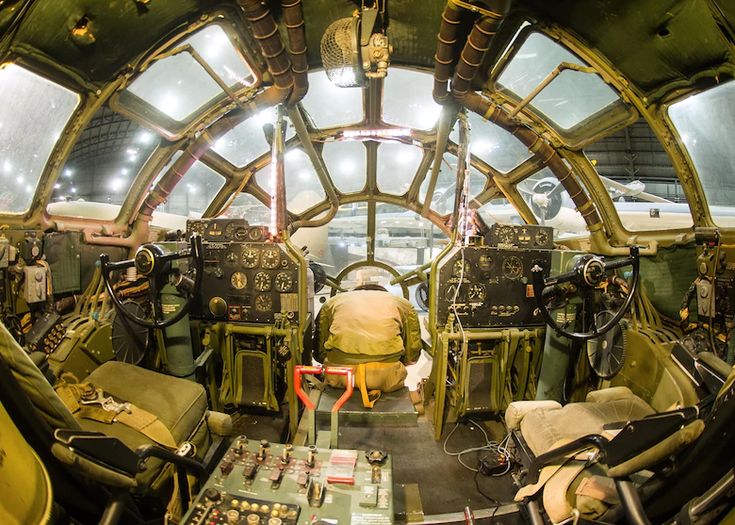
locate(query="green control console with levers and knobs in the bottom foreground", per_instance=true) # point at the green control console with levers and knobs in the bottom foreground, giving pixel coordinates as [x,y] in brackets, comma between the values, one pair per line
[262,483]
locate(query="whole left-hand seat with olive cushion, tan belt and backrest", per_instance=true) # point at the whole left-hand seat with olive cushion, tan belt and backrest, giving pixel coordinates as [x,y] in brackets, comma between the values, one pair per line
[143,408]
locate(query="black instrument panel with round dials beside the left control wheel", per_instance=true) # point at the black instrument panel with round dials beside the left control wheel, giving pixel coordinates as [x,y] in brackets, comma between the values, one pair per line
[244,280]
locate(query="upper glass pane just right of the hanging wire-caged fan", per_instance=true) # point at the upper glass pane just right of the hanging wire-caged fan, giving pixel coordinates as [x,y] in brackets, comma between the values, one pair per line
[407,99]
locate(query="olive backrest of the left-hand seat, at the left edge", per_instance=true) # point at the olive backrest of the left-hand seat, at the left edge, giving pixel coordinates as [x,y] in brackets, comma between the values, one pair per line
[34,385]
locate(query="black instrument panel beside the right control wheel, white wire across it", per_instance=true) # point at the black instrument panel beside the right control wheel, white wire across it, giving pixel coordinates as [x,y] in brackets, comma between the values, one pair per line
[486,286]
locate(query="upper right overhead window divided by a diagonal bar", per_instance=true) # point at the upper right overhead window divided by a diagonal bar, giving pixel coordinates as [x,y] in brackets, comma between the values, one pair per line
[570,98]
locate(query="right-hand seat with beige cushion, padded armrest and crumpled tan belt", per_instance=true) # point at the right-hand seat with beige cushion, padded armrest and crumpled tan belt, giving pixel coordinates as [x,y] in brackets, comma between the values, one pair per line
[577,480]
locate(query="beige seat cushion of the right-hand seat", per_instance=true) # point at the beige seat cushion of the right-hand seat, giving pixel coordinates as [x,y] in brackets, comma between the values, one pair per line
[543,429]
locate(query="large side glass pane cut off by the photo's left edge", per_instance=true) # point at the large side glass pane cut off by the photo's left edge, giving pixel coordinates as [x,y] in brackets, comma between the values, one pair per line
[33,114]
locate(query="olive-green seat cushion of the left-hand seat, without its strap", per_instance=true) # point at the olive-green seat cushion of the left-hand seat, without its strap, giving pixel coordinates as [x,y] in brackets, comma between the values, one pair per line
[178,403]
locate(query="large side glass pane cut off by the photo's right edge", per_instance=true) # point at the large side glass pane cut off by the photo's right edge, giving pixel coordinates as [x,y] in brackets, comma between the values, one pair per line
[706,124]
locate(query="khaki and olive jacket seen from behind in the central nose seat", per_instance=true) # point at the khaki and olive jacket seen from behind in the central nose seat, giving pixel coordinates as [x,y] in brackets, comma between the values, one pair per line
[367,325]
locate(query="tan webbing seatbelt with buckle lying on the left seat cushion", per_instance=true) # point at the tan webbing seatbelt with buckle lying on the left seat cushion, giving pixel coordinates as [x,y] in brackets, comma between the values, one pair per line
[85,401]
